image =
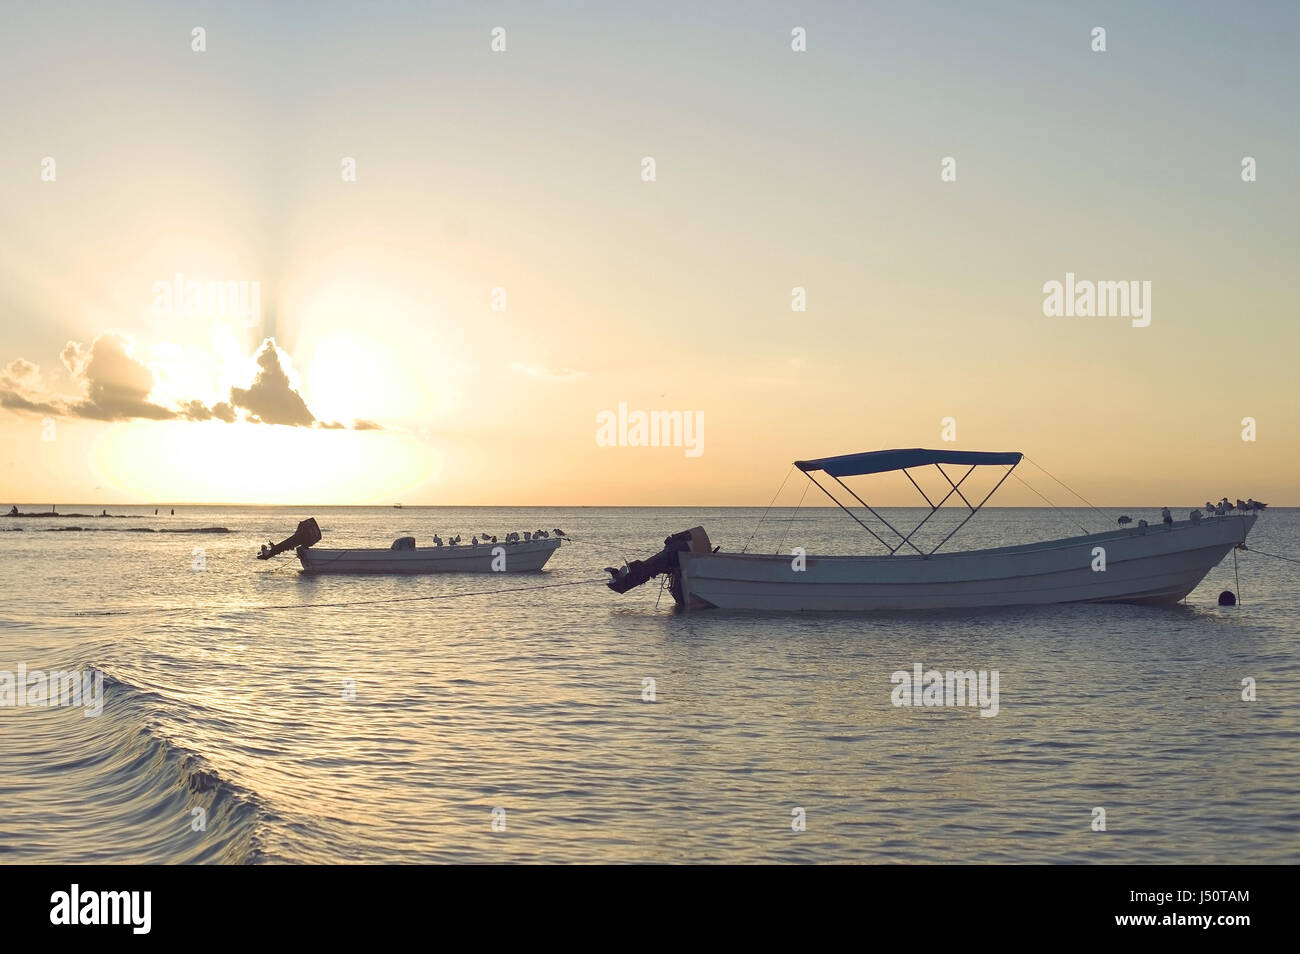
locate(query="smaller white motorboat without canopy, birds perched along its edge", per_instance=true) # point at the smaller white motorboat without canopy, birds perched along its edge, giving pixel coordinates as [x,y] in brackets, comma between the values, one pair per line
[405,557]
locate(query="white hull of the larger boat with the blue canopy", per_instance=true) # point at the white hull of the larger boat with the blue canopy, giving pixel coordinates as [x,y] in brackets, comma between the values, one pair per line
[1151,565]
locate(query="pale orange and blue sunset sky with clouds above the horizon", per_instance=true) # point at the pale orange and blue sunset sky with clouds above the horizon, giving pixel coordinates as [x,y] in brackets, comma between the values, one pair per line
[523,171]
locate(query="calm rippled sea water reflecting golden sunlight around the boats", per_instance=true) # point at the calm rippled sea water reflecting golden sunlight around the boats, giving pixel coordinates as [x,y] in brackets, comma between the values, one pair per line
[226,692]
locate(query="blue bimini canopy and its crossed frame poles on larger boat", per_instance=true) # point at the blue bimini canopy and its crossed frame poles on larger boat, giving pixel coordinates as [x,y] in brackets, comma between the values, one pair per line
[886,462]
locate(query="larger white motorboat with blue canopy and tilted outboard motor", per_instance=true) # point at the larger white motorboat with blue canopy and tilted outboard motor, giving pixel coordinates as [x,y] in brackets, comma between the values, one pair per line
[1158,563]
